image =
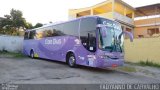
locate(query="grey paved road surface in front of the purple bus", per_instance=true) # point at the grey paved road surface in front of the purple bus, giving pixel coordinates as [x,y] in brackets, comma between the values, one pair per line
[35,71]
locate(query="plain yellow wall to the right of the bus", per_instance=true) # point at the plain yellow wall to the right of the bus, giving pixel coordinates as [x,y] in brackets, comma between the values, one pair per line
[143,49]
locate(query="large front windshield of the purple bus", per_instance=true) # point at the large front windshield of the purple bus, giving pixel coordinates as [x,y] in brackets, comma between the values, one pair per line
[112,40]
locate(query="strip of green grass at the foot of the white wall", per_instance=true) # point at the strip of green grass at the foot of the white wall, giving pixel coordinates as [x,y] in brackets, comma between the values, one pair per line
[11,54]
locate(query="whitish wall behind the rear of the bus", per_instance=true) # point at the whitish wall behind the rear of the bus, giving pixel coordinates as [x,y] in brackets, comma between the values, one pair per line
[11,43]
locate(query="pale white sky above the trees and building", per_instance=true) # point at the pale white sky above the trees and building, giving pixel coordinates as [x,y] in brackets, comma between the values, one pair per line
[45,11]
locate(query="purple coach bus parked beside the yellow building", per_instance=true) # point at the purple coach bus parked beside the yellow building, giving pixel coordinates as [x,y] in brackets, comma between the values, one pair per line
[90,41]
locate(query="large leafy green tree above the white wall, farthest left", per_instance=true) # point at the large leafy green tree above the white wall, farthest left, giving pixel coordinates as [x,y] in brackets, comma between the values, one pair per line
[12,23]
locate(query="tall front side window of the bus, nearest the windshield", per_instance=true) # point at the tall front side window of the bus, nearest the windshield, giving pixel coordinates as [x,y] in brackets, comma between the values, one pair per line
[88,33]
